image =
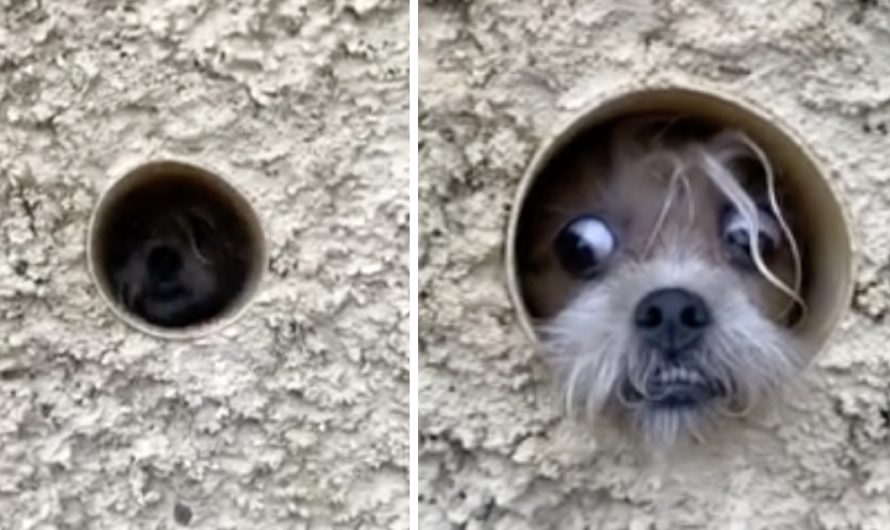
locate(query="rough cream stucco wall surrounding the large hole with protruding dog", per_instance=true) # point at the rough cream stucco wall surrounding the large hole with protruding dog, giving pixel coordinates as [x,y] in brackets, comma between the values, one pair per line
[497,75]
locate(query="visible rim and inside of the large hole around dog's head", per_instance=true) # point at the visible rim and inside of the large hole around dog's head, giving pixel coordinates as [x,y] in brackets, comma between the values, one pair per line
[819,220]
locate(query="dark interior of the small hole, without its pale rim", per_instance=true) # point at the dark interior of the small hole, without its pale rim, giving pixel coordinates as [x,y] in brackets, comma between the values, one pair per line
[175,250]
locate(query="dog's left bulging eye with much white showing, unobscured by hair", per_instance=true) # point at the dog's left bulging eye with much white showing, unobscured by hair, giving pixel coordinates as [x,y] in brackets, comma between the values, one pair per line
[583,246]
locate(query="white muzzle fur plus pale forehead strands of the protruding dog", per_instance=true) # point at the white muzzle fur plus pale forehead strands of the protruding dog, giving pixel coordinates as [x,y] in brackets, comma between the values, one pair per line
[591,343]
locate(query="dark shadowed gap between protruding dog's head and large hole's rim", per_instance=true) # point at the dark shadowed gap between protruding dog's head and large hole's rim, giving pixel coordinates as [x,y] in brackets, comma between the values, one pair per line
[682,126]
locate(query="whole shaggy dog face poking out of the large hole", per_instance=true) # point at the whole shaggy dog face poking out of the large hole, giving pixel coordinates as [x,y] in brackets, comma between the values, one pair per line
[661,271]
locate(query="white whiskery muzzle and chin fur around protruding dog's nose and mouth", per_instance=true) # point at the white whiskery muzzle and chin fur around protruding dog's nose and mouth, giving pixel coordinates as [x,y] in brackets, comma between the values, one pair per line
[596,355]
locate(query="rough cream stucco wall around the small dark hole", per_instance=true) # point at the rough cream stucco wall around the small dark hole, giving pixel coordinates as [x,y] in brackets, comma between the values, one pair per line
[295,417]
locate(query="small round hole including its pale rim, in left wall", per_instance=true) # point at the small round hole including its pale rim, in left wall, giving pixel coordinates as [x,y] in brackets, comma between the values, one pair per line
[175,250]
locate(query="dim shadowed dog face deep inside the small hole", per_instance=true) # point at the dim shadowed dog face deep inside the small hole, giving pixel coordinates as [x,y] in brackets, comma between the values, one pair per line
[173,263]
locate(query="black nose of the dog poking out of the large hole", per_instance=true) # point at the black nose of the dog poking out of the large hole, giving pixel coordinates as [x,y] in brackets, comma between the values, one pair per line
[671,319]
